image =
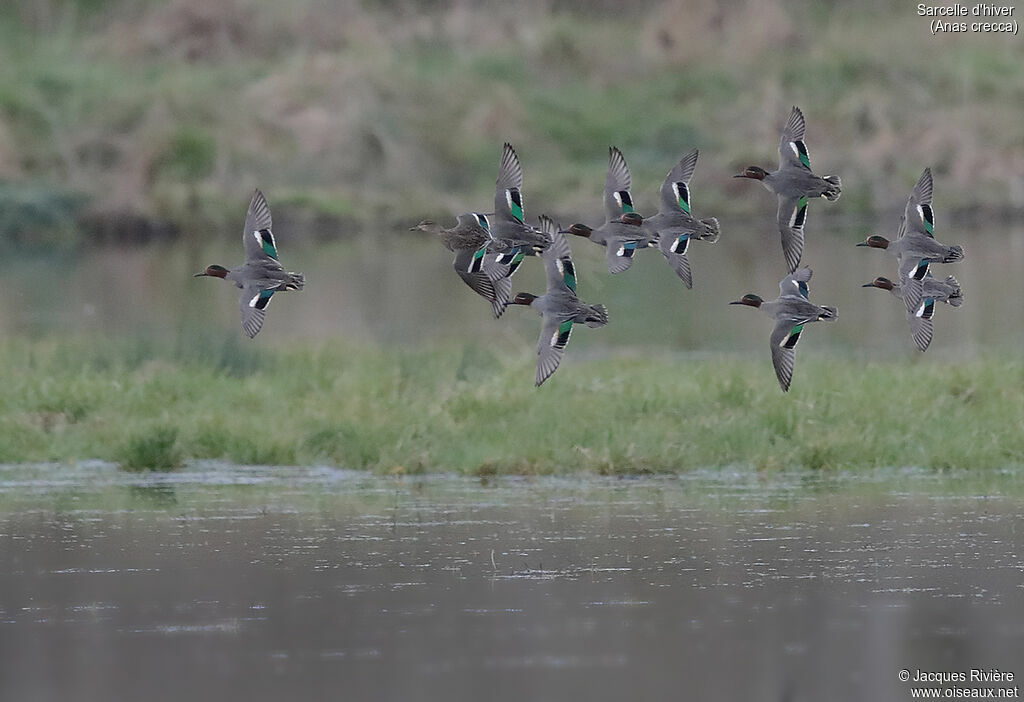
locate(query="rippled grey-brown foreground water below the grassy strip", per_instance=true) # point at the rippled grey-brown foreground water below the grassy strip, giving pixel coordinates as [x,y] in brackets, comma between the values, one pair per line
[314,584]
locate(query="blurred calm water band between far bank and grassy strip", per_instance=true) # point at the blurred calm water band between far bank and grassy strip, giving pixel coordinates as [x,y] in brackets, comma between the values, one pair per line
[397,287]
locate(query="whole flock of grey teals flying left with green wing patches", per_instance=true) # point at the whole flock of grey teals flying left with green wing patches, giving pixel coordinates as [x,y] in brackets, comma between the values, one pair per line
[490,248]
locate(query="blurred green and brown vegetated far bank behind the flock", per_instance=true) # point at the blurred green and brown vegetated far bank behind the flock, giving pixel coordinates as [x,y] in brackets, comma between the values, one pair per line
[139,120]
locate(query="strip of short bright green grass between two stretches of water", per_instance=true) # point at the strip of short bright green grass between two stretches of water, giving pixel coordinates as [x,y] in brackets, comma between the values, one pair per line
[471,412]
